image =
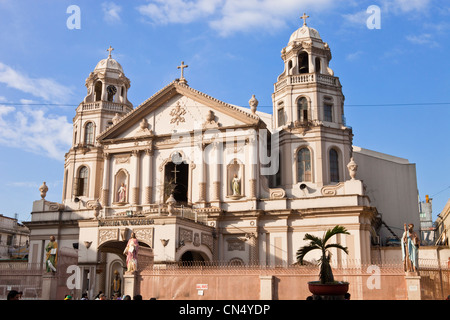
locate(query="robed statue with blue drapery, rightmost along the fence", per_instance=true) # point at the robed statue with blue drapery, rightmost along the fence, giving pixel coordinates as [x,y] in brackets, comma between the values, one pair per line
[410,249]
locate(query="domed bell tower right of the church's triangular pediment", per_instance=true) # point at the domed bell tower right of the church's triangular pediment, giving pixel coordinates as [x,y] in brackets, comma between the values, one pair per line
[308,109]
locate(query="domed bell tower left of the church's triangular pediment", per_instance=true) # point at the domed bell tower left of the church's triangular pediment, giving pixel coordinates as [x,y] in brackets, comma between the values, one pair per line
[106,102]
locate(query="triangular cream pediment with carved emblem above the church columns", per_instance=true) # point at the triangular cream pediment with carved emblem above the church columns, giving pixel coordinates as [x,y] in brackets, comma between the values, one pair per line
[179,108]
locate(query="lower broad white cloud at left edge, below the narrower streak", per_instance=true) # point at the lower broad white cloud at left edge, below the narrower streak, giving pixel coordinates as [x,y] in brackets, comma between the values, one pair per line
[34,131]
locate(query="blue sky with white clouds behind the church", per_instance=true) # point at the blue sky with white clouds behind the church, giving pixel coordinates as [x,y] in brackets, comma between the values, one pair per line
[395,79]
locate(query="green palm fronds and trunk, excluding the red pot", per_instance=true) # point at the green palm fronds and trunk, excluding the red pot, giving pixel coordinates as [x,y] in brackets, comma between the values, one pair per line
[316,243]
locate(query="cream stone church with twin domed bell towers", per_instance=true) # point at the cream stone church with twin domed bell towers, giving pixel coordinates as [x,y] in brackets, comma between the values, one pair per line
[198,179]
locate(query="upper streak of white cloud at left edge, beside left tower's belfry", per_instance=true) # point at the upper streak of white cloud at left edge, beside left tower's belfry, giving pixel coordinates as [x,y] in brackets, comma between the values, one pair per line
[44,88]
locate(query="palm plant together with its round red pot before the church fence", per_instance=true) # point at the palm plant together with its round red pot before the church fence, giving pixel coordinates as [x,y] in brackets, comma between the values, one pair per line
[326,286]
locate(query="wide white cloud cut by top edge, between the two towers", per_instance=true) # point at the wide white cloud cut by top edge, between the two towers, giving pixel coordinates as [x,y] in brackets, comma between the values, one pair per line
[229,16]
